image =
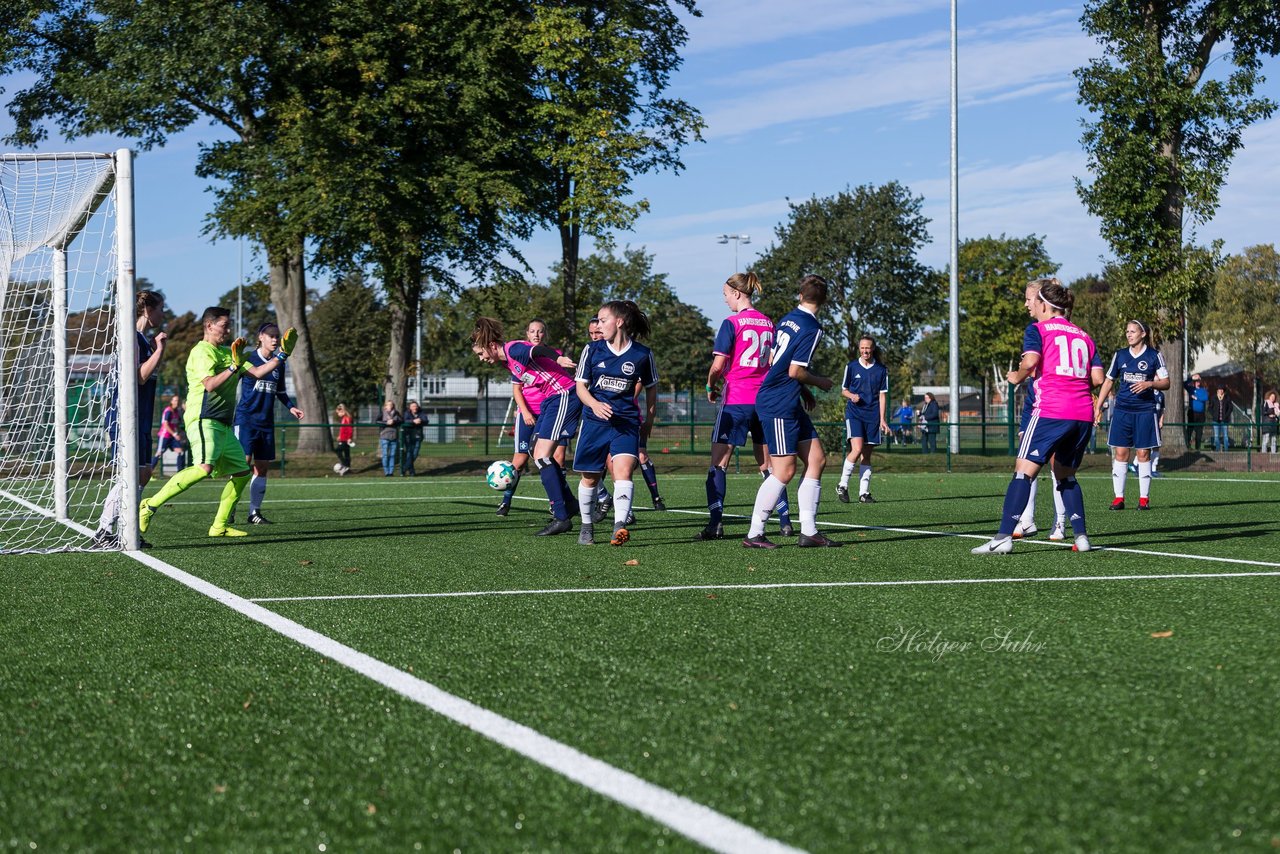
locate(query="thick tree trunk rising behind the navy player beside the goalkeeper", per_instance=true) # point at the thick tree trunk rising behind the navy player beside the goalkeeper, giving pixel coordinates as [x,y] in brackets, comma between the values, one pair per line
[290,296]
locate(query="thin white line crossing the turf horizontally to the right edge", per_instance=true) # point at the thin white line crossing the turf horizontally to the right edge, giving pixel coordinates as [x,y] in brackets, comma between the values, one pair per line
[780,586]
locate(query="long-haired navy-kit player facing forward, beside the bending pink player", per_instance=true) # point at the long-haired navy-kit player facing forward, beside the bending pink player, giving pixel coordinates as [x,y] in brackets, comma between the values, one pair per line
[609,373]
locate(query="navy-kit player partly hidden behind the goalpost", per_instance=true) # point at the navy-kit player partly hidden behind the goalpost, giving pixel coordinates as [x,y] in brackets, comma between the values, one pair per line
[149,308]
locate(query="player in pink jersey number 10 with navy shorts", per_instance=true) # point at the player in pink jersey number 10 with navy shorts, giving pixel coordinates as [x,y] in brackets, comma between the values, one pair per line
[1068,369]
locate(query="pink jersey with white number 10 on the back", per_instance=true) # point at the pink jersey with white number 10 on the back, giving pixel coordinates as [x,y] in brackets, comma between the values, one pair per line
[1064,389]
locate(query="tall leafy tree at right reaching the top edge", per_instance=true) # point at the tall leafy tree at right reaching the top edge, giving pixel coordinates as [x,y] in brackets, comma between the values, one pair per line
[1162,139]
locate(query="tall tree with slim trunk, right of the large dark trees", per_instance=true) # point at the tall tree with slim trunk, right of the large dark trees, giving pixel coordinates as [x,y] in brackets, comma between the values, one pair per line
[601,115]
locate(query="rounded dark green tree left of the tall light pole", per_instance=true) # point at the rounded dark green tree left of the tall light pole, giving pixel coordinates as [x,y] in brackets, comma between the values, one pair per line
[866,243]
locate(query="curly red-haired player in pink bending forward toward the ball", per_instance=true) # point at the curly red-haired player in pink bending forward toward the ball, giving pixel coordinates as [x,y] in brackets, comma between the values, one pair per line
[542,367]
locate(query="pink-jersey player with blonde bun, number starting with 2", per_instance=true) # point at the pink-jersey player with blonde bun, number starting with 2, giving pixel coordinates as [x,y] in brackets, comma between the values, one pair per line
[742,360]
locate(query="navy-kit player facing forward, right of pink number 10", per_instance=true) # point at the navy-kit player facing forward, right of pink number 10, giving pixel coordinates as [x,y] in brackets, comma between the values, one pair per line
[1137,373]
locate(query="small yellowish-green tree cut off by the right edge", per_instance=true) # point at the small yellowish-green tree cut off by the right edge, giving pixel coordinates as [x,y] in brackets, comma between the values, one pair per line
[1245,319]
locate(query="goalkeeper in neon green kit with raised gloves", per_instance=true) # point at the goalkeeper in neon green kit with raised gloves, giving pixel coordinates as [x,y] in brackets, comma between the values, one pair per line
[213,375]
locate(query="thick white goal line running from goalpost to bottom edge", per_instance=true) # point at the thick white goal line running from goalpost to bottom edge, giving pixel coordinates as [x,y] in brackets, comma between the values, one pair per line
[696,821]
